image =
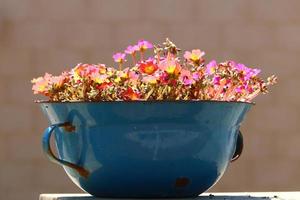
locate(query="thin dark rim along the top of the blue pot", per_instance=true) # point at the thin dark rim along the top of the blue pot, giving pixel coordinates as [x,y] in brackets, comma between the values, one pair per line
[140,101]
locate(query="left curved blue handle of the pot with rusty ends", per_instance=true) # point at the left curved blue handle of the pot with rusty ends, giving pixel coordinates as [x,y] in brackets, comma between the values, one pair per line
[49,153]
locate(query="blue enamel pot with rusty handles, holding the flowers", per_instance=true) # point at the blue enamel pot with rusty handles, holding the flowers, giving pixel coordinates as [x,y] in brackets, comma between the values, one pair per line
[141,149]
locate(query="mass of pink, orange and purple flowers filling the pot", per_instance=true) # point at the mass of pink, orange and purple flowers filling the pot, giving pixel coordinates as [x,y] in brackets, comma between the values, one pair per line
[164,76]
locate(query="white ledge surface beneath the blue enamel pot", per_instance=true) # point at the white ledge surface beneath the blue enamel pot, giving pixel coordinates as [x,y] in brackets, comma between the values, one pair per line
[208,196]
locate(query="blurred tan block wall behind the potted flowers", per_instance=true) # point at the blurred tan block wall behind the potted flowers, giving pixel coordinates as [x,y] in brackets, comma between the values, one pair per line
[38,36]
